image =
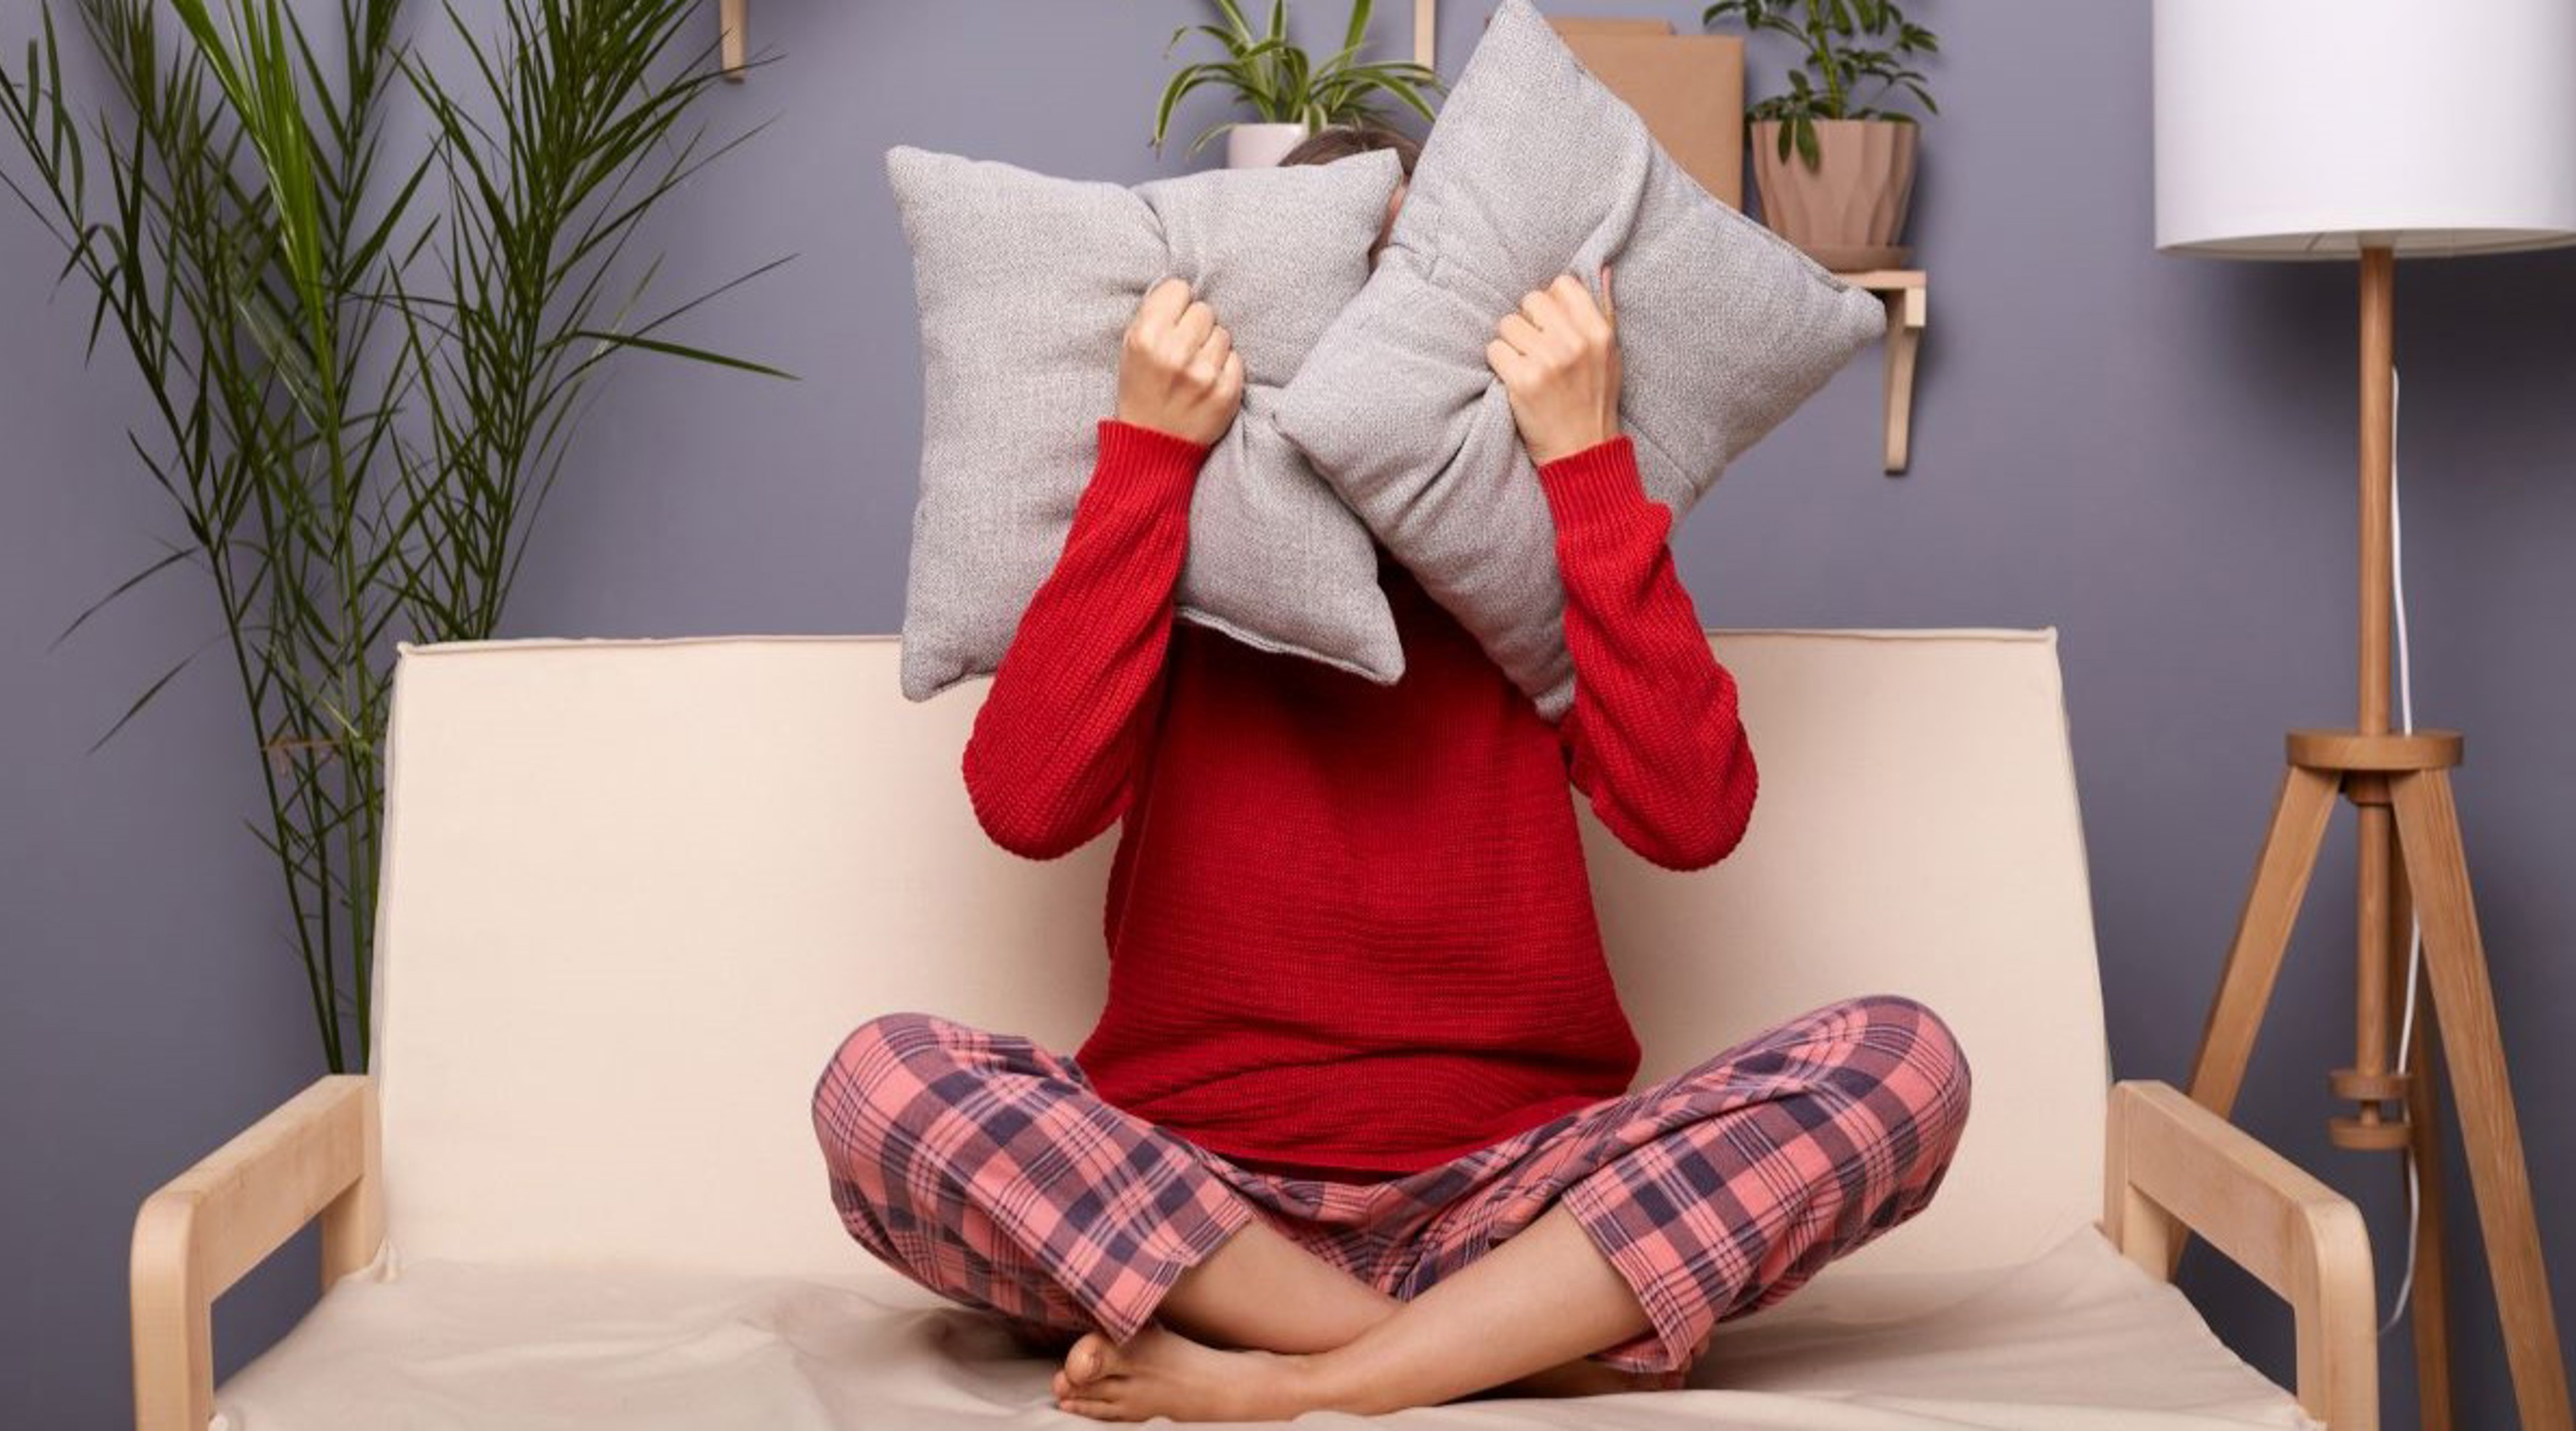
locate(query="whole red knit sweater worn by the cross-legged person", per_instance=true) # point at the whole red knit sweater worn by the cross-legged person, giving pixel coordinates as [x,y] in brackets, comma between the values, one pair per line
[1349,924]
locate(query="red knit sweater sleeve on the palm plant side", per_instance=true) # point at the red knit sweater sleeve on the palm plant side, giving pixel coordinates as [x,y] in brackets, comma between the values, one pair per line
[1070,705]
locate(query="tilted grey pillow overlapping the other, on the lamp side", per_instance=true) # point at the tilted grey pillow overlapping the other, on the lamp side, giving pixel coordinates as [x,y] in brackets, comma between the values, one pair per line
[1534,171]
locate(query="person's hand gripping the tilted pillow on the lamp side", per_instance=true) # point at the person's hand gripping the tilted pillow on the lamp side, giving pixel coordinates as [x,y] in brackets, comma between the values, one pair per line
[1557,360]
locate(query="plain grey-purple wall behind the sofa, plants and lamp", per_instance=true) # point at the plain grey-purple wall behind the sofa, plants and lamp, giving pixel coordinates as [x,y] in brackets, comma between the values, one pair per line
[2152,455]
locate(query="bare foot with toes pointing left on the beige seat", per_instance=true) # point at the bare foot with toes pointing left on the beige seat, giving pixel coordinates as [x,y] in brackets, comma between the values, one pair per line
[1163,1373]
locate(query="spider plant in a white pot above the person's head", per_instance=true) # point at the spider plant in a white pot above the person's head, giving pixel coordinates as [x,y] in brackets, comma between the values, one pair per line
[1287,89]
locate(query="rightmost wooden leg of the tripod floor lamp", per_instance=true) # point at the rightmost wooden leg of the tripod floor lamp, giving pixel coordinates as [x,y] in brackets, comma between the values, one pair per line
[2482,1092]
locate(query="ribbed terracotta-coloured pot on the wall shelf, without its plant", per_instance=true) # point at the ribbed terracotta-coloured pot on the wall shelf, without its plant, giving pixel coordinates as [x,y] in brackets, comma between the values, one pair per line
[1848,210]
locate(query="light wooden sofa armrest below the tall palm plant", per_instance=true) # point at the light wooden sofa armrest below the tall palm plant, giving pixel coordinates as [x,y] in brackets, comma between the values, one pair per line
[316,1156]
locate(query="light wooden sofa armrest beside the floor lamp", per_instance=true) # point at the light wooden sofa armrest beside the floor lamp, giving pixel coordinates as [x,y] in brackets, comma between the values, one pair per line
[2175,1164]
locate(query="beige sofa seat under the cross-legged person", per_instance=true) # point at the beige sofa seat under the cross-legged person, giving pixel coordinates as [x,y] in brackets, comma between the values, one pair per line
[2070,1342]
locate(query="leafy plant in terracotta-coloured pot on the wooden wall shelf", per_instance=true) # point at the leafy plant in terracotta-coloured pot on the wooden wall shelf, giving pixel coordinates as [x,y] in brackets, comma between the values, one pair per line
[1835,169]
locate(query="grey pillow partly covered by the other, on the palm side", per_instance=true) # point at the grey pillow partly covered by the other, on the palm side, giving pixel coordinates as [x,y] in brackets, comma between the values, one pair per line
[1027,287]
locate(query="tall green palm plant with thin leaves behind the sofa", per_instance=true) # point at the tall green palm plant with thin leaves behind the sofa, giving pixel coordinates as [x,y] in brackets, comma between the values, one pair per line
[362,378]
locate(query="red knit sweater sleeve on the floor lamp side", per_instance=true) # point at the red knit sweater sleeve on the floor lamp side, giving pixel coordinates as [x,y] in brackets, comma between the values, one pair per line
[1653,736]
